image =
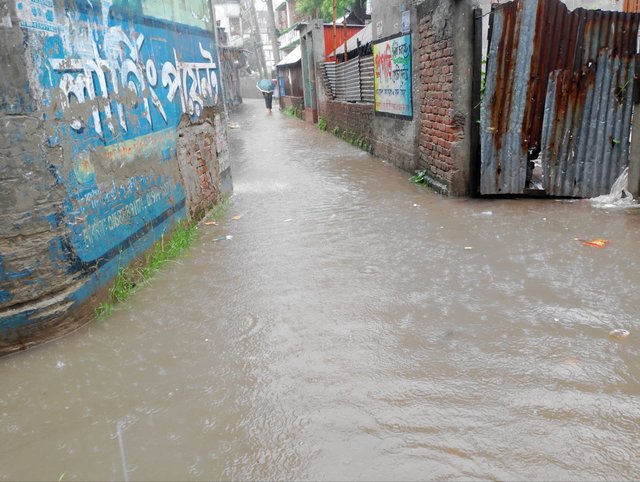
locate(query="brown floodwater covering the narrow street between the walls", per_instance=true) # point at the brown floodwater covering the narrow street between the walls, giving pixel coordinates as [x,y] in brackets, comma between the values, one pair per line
[355,326]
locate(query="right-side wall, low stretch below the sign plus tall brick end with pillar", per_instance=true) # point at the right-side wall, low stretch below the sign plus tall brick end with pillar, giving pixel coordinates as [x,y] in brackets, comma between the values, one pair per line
[441,136]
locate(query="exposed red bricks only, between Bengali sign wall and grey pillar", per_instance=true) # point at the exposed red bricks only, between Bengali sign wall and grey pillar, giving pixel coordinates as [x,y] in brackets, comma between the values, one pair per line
[439,129]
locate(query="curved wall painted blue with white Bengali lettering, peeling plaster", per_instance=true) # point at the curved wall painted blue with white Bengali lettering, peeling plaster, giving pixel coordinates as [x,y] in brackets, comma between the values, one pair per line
[112,133]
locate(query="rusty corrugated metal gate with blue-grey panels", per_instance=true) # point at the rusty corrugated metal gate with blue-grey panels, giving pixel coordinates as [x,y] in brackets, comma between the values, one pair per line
[558,100]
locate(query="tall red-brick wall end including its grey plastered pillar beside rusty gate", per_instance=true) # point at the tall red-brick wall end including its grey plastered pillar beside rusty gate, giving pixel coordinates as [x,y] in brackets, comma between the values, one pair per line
[448,56]
